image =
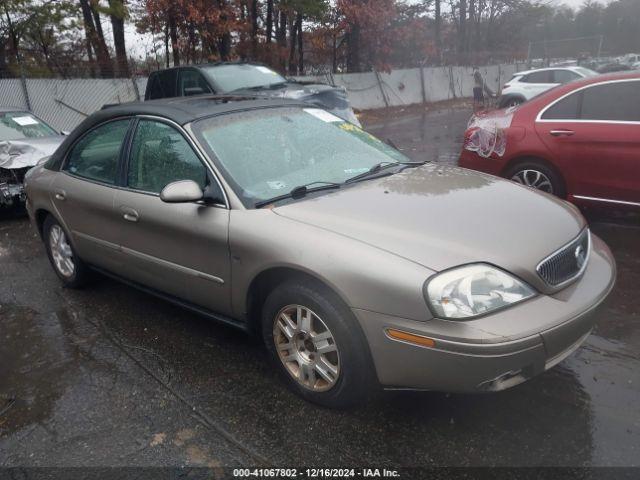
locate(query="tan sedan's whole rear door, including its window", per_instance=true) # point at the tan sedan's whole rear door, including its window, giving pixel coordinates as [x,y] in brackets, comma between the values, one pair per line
[84,191]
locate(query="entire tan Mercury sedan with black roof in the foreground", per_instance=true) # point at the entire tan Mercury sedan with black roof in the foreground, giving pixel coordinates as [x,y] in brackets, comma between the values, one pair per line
[357,266]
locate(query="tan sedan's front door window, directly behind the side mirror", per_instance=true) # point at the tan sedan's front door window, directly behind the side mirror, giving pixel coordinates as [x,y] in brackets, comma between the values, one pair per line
[159,156]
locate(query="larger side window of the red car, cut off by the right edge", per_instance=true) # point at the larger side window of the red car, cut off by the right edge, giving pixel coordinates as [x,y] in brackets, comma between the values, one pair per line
[614,101]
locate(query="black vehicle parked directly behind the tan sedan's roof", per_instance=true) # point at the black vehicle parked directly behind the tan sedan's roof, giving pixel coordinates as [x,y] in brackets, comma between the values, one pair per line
[251,79]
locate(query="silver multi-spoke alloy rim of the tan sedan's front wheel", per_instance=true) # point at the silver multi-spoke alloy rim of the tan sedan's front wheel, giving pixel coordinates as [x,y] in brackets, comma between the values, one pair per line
[306,347]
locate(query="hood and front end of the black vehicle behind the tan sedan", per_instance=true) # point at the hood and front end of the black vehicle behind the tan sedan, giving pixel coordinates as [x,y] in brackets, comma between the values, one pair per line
[328,97]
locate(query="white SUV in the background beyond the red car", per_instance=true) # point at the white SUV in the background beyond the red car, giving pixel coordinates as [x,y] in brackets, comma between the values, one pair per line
[526,85]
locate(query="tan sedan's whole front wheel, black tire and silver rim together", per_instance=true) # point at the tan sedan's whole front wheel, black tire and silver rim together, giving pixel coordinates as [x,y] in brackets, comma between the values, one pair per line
[315,343]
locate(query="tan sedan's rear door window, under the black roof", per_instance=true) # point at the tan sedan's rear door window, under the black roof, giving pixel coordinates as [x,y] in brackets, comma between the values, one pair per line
[96,155]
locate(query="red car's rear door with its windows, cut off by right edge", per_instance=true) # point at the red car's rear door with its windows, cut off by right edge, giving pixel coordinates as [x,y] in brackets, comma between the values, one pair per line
[595,134]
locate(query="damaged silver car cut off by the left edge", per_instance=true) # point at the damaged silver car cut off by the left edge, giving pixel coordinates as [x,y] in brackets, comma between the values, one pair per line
[24,140]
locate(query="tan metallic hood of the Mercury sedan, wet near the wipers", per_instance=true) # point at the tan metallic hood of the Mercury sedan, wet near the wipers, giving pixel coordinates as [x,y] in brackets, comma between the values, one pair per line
[441,217]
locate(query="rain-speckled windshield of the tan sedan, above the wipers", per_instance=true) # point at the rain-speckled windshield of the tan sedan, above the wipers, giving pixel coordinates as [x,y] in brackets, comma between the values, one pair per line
[266,153]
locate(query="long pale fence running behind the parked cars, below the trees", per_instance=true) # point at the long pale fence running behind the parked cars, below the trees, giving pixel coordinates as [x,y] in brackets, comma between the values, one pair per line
[65,103]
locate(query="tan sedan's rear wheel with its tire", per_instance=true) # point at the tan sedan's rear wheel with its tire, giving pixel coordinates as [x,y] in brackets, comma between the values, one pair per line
[65,262]
